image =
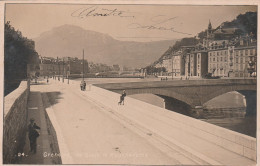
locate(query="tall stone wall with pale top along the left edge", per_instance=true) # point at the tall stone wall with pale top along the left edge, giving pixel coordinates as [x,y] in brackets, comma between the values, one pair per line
[15,120]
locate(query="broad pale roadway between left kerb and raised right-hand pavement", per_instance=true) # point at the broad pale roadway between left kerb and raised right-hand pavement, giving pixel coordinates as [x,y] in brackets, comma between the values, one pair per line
[87,134]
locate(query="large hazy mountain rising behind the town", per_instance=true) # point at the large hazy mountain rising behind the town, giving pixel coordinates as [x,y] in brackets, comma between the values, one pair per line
[69,40]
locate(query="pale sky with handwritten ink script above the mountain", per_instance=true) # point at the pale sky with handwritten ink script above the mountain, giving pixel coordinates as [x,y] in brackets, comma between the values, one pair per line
[123,22]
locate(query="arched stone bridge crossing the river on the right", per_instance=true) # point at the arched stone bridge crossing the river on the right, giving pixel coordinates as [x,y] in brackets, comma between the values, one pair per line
[190,94]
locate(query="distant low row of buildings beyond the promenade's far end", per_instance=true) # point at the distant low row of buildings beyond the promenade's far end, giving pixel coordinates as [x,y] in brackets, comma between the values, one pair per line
[68,66]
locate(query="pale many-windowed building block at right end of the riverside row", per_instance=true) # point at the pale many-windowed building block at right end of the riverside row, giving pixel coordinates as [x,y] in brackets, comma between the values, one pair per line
[232,61]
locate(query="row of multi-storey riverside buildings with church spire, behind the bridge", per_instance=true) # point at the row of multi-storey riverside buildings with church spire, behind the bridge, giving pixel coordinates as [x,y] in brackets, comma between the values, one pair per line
[228,57]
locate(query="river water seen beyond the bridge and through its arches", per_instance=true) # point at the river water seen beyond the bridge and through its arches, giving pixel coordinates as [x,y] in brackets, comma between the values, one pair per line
[234,100]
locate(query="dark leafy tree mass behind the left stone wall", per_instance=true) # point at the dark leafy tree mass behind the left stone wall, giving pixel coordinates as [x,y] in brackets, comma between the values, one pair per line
[18,53]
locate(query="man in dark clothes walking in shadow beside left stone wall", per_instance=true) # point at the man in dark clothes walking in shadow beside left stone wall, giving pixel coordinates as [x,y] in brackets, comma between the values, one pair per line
[33,135]
